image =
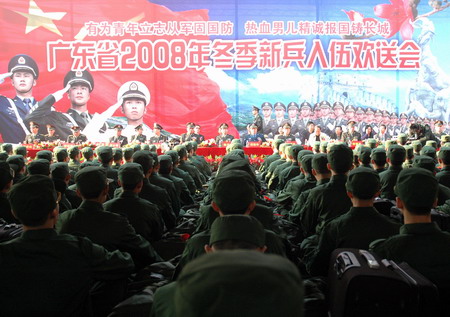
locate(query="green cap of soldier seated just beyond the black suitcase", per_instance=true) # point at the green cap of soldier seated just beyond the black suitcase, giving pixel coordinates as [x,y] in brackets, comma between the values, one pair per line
[363,182]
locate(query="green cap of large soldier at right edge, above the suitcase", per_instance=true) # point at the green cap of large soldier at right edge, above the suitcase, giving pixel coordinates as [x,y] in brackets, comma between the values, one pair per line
[417,187]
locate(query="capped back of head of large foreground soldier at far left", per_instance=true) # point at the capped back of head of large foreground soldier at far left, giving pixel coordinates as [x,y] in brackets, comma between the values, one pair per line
[33,199]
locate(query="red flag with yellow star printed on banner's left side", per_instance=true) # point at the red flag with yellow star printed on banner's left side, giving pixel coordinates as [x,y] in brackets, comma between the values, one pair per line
[177,97]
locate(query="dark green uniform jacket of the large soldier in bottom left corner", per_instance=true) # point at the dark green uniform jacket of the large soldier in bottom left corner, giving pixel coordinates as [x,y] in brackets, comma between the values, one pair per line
[49,287]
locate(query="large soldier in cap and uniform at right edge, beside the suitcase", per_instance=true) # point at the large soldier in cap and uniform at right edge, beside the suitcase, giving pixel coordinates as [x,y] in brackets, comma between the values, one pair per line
[421,244]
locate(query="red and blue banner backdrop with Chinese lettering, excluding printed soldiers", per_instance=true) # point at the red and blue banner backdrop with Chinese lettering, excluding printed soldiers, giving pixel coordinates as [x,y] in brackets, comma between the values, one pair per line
[261,51]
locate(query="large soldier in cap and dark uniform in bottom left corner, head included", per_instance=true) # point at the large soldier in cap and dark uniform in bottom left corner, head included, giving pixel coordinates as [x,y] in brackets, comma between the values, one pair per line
[55,272]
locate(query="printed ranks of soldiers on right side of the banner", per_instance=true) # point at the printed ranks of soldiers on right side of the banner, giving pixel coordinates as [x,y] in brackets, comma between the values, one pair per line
[306,124]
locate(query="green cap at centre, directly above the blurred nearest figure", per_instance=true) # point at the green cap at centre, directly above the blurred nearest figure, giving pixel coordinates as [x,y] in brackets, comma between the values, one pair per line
[238,227]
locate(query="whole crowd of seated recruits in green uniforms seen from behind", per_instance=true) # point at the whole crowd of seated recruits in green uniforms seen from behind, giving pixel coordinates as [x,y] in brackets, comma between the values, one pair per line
[243,242]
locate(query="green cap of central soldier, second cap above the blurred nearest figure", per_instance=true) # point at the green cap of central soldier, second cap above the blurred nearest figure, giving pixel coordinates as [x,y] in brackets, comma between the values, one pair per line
[233,191]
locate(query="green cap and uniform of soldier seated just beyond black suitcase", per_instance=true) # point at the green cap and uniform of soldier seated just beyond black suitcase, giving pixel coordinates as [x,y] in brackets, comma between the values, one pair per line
[350,230]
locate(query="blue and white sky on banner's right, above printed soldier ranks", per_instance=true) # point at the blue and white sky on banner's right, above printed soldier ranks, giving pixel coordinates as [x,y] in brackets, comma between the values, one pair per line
[423,90]
